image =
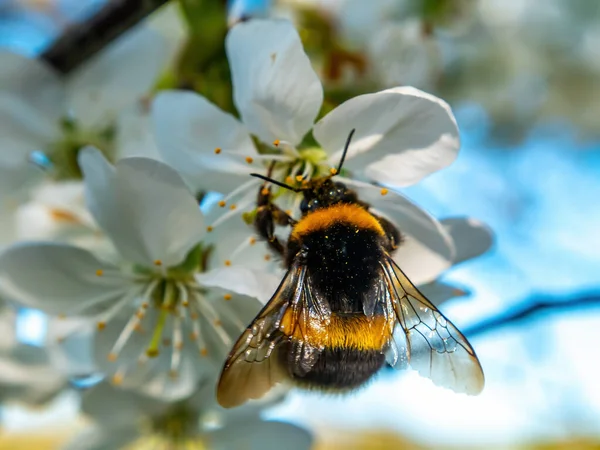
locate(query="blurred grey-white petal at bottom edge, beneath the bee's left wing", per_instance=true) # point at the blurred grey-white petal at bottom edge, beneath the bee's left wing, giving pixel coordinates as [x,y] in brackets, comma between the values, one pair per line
[260,435]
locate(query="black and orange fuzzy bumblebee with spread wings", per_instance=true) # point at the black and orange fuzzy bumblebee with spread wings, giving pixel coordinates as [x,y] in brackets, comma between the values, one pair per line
[344,308]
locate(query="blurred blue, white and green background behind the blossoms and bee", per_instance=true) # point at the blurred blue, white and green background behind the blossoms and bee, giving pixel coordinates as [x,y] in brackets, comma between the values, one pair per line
[523,79]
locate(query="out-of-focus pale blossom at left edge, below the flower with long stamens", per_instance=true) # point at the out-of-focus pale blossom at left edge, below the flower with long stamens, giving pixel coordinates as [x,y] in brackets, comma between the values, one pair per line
[26,374]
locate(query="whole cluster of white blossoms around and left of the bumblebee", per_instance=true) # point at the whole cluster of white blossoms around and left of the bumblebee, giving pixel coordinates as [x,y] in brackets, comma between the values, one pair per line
[111,229]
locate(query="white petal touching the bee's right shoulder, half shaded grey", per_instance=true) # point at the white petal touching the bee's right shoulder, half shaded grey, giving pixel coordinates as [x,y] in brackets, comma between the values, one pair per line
[427,249]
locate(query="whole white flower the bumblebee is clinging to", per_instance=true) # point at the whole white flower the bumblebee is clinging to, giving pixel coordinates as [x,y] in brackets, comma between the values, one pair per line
[402,135]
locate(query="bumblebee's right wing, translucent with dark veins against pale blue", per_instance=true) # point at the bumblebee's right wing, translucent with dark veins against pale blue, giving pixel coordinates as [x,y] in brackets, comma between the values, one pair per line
[426,339]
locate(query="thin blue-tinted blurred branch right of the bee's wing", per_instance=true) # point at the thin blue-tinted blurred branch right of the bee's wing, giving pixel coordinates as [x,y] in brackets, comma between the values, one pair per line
[536,306]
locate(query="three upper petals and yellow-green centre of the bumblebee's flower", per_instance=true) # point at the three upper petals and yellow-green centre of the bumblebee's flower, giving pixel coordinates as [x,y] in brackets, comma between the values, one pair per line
[402,134]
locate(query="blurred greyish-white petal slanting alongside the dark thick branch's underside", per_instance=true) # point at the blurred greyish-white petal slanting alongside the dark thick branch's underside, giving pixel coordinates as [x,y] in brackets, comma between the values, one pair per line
[117,77]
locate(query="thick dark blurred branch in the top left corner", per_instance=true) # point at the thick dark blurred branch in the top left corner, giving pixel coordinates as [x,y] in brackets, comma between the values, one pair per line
[81,41]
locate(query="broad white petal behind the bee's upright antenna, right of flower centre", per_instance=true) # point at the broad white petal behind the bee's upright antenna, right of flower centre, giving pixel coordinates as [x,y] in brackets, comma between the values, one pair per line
[402,135]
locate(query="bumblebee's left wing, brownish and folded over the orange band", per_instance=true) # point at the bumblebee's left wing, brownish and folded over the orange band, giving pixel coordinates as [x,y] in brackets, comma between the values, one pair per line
[258,360]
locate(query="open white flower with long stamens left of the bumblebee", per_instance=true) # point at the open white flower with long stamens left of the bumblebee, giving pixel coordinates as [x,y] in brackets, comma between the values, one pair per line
[158,322]
